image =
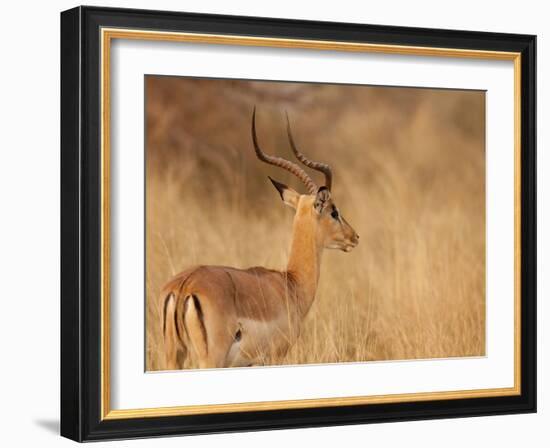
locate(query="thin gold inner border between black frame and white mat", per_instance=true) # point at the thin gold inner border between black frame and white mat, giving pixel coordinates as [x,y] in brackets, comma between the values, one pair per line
[107,35]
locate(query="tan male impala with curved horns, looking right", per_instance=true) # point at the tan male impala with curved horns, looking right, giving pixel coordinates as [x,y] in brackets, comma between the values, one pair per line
[221,316]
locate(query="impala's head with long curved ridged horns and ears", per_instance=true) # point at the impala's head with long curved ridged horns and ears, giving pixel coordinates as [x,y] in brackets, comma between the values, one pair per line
[316,208]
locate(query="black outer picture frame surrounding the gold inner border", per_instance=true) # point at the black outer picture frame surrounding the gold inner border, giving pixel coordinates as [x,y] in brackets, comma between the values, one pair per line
[81,224]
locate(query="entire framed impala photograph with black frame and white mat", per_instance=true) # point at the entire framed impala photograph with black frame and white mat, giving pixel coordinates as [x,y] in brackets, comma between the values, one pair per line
[273,223]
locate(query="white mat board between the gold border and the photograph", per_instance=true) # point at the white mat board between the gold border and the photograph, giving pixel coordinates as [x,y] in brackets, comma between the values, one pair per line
[132,388]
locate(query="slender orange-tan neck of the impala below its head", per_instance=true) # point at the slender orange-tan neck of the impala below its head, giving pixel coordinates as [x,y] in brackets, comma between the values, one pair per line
[305,257]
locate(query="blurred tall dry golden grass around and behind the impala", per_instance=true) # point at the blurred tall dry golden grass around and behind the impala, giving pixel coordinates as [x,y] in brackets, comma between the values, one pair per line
[409,170]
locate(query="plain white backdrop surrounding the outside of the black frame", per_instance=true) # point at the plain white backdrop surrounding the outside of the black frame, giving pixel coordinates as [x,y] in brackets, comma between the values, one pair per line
[29,236]
